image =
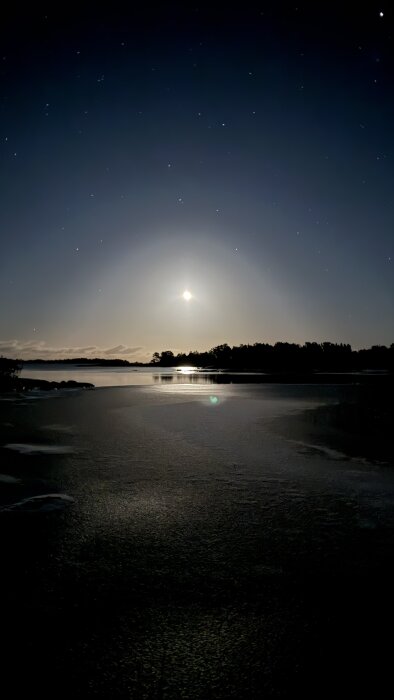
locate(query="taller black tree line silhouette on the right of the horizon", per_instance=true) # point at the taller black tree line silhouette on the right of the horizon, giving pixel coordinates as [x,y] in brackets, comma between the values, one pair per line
[284,357]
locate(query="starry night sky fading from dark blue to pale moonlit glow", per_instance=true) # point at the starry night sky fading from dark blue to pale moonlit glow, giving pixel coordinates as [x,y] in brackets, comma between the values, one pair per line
[246,155]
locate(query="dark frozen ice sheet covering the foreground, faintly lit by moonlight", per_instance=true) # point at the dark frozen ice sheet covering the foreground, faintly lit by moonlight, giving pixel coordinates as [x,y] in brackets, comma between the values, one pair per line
[234,542]
